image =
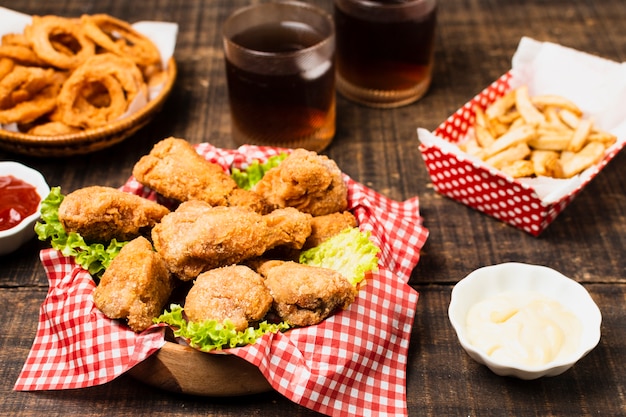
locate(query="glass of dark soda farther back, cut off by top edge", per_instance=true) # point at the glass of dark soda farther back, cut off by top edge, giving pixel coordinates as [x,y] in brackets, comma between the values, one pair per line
[384,54]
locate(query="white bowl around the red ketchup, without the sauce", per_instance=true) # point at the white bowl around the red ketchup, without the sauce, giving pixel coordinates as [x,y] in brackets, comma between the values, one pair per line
[13,238]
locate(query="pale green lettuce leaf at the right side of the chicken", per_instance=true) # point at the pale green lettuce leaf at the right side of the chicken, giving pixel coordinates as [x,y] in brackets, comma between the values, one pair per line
[351,253]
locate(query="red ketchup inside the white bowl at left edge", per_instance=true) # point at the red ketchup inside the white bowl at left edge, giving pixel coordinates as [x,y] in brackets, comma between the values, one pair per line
[18,200]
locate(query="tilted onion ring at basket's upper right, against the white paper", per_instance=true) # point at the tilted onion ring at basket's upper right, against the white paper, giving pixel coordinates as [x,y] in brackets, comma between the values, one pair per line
[119,37]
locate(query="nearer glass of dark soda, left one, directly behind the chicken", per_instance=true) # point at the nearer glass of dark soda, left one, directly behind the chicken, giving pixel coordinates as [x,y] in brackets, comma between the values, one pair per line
[280,70]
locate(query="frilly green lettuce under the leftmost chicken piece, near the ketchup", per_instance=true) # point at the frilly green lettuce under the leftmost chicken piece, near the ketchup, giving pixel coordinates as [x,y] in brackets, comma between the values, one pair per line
[94,257]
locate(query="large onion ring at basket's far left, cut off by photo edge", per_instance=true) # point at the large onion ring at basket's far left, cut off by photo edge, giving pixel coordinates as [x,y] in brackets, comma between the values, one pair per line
[28,93]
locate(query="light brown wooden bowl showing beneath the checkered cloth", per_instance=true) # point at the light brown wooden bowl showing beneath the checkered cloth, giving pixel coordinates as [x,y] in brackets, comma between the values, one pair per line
[179,368]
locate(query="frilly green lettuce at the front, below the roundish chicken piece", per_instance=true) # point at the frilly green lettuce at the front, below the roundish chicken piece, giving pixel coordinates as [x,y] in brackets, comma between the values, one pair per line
[213,335]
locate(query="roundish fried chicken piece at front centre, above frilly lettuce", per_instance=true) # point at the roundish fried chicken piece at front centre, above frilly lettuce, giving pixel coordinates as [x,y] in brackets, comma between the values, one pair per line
[235,292]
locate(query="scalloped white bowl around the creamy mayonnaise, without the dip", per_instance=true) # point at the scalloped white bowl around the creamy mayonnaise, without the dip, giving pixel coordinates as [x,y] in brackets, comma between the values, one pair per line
[514,277]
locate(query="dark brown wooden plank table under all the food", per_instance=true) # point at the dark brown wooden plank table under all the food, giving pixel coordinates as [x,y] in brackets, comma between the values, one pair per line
[379,148]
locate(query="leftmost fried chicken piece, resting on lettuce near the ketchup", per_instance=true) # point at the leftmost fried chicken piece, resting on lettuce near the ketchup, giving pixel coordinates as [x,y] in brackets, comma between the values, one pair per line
[100,214]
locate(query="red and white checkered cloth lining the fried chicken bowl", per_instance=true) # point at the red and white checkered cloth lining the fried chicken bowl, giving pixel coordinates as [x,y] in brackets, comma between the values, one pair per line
[353,363]
